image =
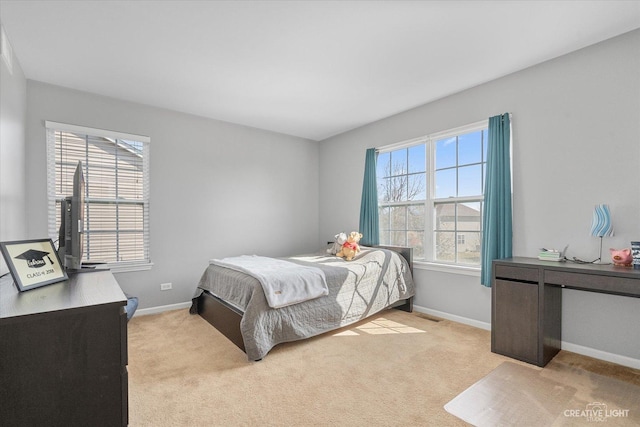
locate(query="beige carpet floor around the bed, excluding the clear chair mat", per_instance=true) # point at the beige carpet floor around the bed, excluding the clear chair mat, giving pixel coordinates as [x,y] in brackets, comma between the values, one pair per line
[396,368]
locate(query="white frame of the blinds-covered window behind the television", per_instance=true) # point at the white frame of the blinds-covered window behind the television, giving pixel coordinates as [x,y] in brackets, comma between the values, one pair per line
[51,128]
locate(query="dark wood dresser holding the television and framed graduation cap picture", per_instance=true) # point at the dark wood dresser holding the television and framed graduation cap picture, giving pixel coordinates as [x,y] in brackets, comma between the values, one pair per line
[63,353]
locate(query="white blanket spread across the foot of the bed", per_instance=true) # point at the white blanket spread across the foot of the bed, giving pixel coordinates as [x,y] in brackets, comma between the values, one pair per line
[284,283]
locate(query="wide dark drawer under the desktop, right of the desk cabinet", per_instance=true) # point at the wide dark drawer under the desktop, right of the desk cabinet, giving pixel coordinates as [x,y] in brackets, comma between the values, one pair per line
[594,282]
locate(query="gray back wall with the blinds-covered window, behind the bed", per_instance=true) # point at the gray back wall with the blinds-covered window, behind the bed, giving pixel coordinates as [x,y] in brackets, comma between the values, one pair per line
[217,189]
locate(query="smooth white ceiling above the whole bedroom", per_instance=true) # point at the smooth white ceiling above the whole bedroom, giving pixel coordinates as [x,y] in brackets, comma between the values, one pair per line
[307,68]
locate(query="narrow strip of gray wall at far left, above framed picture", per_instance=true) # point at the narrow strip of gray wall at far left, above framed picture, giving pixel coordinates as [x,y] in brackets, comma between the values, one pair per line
[13,113]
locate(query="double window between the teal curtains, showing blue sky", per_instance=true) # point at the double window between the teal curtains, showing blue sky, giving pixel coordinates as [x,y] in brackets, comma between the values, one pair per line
[430,194]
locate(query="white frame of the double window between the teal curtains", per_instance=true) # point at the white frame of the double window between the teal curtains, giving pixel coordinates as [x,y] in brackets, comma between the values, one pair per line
[429,242]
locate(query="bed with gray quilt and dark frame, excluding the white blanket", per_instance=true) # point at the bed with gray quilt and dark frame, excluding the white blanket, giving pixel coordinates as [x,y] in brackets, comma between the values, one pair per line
[234,302]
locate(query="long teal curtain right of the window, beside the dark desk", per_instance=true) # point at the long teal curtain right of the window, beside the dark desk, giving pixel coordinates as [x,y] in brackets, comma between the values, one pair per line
[497,216]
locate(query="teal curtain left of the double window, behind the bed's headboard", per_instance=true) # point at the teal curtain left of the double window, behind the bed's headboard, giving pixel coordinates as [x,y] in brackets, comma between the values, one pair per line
[369,223]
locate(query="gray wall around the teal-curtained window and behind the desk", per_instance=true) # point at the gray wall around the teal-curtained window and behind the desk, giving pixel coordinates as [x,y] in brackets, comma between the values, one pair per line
[576,143]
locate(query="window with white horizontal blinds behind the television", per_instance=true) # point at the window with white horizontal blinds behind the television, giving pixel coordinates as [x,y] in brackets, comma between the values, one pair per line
[116,174]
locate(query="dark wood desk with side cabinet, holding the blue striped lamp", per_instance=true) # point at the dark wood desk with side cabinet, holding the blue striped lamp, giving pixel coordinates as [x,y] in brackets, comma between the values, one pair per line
[526,302]
